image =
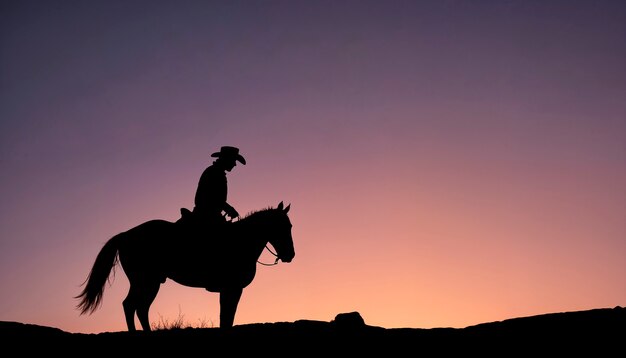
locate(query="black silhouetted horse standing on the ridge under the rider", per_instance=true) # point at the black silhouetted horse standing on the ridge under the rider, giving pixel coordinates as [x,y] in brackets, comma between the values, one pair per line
[157,250]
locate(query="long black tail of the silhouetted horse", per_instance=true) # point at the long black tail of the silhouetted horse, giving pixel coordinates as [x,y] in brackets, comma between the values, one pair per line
[91,296]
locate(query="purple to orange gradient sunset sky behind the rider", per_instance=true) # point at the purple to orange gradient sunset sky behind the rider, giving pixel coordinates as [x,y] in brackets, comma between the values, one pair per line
[448,163]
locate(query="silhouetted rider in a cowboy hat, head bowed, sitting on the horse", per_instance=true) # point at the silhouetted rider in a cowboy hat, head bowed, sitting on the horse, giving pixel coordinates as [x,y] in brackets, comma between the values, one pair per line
[211,206]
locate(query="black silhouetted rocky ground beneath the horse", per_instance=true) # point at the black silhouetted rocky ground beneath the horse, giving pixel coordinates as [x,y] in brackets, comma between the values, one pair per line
[597,332]
